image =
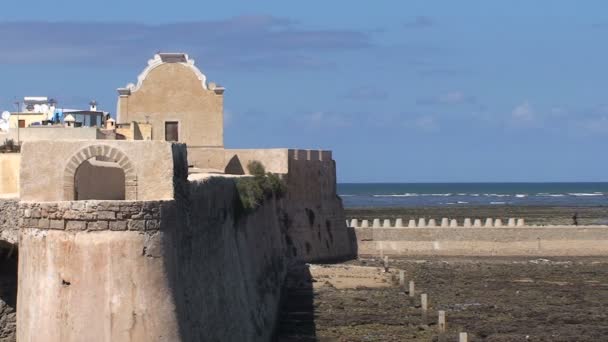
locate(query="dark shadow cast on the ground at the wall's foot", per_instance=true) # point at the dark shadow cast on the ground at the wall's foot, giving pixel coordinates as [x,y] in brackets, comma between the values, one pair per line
[297,316]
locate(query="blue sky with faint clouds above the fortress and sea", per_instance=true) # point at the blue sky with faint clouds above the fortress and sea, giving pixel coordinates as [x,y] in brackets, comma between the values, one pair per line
[401,91]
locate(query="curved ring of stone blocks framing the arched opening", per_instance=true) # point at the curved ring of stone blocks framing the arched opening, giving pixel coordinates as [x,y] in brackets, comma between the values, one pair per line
[106,151]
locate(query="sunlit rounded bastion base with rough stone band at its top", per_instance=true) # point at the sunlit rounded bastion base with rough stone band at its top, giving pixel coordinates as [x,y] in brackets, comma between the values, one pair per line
[94,271]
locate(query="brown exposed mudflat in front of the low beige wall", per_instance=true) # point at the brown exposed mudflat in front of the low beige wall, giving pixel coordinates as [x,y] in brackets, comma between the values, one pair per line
[493,299]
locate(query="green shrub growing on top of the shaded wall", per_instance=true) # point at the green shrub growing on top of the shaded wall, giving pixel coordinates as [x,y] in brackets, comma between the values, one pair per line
[253,190]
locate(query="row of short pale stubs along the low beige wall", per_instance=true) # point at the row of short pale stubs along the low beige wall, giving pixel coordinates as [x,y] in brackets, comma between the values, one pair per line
[445,223]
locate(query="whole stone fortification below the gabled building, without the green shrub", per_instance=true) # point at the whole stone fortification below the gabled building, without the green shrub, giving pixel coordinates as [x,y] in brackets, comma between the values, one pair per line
[165,257]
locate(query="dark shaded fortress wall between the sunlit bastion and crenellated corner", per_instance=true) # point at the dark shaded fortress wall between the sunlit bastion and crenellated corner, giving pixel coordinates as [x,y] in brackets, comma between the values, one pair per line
[229,265]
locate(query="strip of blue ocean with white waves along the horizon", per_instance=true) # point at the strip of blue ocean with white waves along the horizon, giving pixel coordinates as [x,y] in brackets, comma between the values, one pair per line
[359,195]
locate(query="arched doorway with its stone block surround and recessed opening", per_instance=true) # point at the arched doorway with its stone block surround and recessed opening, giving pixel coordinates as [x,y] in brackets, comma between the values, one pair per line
[100,172]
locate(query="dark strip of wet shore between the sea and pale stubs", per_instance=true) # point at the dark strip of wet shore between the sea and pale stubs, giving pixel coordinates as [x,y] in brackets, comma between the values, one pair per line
[541,215]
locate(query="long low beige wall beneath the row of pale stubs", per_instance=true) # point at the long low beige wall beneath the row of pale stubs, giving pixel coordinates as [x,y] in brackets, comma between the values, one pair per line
[505,241]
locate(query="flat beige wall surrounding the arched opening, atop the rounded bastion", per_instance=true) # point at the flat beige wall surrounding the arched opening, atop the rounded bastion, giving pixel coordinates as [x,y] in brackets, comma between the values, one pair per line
[148,167]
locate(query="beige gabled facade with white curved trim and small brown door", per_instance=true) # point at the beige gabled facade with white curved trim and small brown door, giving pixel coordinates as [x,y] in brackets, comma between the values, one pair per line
[173,94]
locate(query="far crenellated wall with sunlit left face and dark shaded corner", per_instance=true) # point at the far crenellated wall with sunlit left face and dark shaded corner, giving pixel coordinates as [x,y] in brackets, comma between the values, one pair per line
[314,212]
